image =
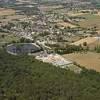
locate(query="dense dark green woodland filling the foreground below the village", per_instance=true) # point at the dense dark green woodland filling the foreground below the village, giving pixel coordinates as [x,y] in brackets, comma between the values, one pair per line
[24,78]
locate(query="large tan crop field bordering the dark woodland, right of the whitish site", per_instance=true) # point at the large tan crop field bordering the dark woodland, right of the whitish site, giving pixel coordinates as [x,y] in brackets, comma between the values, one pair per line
[89,60]
